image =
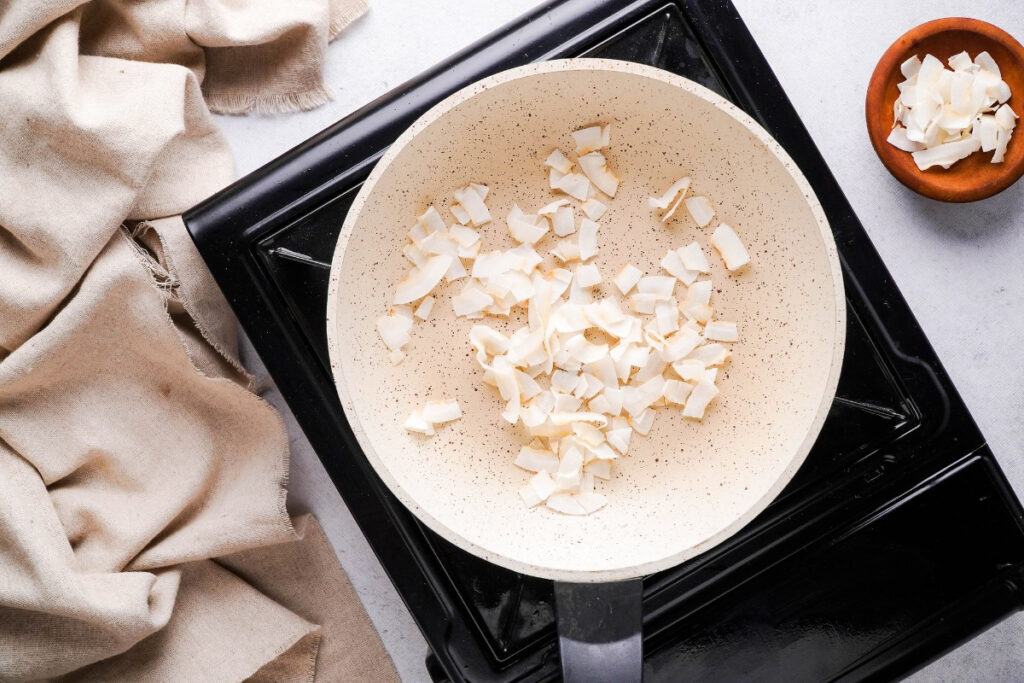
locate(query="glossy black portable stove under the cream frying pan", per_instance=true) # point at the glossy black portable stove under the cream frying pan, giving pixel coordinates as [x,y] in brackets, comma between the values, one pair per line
[898,540]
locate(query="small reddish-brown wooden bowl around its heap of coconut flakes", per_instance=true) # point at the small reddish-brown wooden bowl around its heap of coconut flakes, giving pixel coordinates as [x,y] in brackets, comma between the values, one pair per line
[972,179]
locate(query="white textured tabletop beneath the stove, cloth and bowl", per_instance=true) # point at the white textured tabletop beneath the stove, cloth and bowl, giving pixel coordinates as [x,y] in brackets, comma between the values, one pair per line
[961,268]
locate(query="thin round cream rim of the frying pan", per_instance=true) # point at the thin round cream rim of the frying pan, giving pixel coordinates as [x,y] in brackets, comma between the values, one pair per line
[563,573]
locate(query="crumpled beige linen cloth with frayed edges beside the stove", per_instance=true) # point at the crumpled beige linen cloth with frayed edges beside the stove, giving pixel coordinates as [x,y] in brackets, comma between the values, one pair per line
[144,534]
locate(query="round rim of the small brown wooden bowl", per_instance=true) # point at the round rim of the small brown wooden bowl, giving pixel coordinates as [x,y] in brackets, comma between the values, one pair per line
[876,97]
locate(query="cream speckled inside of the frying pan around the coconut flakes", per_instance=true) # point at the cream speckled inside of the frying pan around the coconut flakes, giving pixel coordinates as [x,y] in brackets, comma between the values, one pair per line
[689,485]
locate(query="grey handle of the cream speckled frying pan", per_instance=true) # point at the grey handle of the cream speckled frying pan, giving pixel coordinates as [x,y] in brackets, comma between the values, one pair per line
[601,631]
